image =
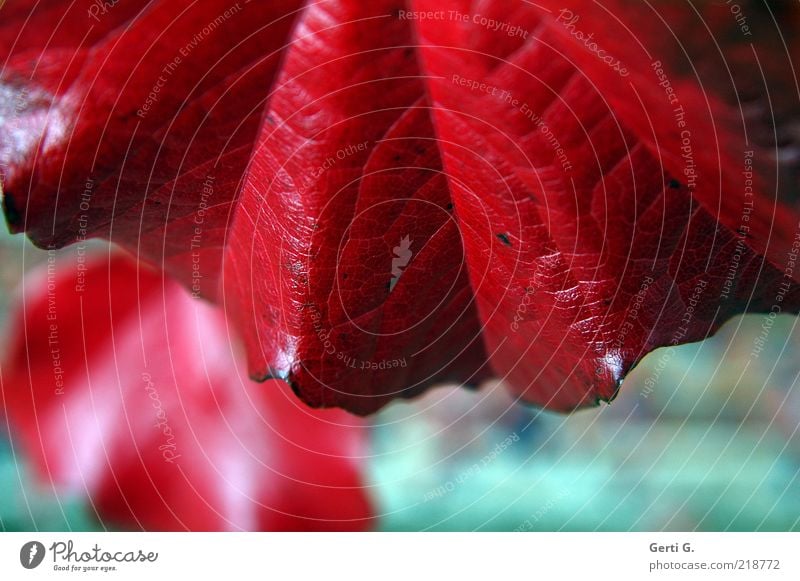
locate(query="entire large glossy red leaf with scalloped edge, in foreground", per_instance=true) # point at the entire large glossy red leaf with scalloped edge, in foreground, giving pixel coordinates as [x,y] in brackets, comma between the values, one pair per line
[400,192]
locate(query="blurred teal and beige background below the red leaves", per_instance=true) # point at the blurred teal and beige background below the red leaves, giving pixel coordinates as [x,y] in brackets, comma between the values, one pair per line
[714,445]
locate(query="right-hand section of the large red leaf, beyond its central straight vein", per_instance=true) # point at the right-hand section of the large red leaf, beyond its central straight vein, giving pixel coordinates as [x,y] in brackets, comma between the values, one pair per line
[600,248]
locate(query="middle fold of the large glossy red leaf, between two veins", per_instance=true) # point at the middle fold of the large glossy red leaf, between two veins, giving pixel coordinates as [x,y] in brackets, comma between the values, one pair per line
[328,296]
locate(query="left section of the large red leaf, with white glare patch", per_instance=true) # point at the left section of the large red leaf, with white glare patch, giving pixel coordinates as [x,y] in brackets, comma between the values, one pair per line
[126,114]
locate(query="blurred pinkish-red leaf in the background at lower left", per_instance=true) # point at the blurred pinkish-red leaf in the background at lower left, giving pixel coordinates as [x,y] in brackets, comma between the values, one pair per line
[120,386]
